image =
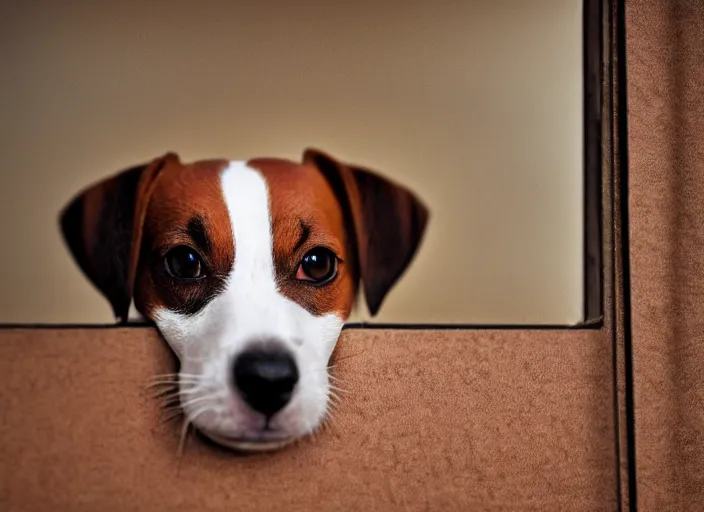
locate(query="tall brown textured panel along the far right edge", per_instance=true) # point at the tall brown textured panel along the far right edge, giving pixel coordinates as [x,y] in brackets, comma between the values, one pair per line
[666,105]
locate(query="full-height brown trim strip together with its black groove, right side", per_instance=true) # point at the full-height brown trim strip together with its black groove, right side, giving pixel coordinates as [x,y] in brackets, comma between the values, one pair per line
[615,243]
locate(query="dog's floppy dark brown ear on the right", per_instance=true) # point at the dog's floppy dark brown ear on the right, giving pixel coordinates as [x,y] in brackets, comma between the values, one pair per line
[387,221]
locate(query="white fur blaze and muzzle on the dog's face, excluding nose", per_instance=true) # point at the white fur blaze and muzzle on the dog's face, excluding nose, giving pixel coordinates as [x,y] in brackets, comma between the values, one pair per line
[250,309]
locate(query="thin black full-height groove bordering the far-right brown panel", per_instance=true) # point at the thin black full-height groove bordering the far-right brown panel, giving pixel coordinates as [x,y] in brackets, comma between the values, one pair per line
[621,128]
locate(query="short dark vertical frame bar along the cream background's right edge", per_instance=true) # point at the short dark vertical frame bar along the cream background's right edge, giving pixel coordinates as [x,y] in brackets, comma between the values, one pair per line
[592,137]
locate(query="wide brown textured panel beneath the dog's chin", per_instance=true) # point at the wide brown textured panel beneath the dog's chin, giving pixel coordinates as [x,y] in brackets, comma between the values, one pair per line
[449,420]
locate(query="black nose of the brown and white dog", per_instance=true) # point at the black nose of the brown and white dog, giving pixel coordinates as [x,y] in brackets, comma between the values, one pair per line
[265,379]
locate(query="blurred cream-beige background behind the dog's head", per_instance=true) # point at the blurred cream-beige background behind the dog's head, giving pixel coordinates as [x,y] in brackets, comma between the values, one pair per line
[477,105]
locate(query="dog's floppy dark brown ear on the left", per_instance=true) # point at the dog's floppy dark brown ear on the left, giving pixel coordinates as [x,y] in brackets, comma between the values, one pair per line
[102,227]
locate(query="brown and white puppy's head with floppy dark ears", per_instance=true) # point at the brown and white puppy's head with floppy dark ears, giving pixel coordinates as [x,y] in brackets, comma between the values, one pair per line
[249,270]
